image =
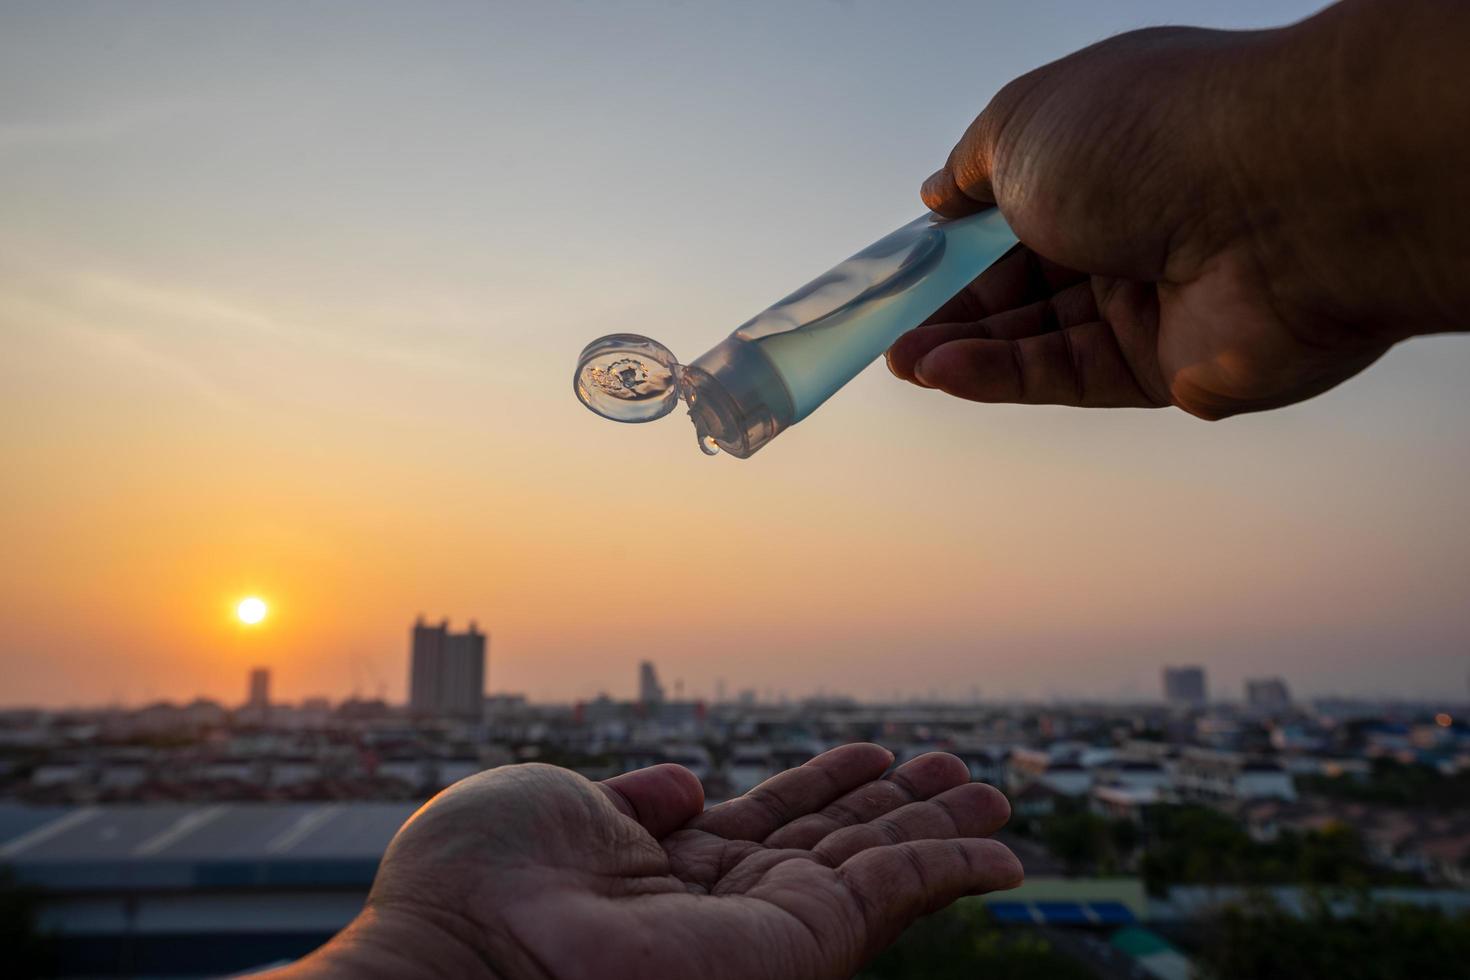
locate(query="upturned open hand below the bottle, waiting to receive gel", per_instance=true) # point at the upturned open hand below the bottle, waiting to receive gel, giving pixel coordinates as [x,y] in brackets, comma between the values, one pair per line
[536,872]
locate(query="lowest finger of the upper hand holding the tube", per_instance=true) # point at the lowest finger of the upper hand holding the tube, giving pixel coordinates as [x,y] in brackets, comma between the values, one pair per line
[1078,367]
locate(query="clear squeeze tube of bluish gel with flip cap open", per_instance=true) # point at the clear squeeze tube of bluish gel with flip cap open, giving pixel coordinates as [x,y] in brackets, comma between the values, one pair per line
[777,368]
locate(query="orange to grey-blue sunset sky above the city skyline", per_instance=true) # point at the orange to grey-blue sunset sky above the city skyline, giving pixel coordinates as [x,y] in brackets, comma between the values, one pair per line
[290,298]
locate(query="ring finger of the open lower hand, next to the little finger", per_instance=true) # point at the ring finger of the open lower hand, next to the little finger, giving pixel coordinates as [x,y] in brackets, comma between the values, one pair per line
[974,810]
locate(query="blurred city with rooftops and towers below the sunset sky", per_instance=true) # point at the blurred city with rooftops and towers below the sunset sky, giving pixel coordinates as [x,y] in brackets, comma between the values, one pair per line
[1161,838]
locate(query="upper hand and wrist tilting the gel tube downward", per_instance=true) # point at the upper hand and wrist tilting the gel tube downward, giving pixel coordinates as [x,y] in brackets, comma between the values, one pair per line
[1219,221]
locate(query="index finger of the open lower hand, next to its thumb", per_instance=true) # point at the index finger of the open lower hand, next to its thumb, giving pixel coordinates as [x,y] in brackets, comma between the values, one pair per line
[796,793]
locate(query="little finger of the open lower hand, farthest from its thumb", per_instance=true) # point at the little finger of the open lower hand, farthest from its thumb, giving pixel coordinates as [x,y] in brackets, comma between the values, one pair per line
[896,885]
